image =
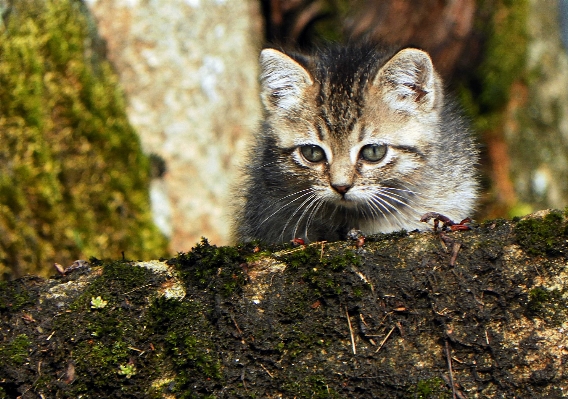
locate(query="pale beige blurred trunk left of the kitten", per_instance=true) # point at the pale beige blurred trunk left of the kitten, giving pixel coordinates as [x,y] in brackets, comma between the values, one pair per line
[189,71]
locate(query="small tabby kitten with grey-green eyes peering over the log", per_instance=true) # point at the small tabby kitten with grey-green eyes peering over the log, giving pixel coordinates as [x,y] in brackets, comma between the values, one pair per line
[354,137]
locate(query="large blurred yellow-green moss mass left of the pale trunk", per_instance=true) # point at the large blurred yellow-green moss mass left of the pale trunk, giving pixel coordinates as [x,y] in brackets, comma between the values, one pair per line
[73,179]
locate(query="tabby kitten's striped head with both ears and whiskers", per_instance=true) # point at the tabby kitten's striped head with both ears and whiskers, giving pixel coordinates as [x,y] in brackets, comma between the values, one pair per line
[348,125]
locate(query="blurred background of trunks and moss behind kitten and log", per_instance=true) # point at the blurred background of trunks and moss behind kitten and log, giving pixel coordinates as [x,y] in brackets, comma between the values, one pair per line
[123,122]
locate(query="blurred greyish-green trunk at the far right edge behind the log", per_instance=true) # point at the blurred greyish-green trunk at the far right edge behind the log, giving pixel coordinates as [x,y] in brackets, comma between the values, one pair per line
[536,127]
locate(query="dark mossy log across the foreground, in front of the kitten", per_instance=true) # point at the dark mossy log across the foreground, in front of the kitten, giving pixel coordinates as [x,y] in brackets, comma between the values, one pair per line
[466,314]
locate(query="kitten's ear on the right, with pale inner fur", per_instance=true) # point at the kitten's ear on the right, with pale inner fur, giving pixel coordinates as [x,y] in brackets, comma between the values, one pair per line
[408,82]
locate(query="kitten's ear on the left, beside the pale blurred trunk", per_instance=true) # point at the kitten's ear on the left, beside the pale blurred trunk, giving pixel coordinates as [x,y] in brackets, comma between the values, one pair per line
[283,80]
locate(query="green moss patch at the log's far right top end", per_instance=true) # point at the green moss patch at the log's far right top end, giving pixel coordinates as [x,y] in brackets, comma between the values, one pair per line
[540,236]
